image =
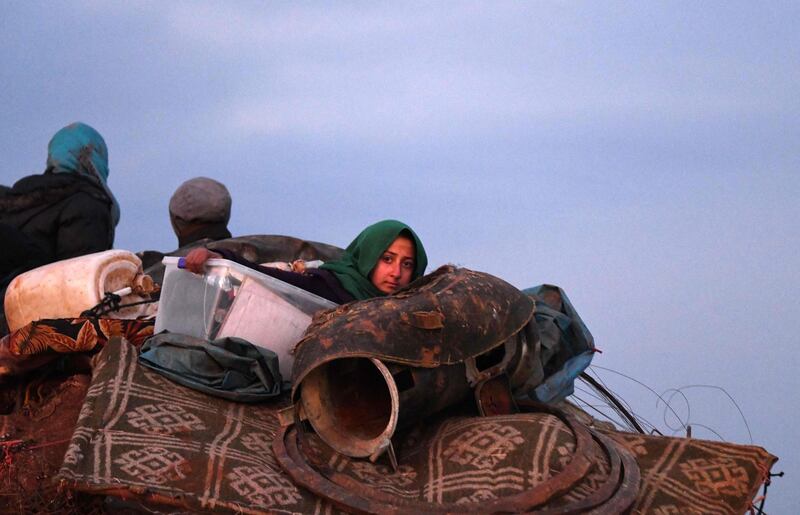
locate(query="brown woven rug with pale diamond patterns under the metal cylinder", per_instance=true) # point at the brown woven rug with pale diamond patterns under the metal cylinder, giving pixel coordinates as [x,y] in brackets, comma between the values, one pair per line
[140,436]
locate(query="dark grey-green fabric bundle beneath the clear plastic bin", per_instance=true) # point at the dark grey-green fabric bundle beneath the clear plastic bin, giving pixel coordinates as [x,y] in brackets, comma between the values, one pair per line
[231,368]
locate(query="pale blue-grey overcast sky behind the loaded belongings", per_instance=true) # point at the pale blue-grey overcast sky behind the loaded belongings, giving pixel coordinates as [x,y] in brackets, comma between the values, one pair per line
[644,156]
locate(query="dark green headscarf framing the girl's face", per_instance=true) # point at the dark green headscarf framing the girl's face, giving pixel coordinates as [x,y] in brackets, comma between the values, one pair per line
[362,255]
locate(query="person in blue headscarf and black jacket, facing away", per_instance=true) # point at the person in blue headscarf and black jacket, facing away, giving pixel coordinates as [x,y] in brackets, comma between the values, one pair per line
[65,212]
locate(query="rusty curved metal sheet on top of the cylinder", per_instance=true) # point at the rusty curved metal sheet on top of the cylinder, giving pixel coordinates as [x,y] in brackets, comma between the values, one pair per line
[442,318]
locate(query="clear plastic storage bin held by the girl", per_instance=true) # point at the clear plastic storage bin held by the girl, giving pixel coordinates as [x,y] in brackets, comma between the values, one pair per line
[233,300]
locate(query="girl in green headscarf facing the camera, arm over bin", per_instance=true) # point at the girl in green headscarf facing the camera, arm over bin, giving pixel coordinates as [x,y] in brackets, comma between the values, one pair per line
[383,258]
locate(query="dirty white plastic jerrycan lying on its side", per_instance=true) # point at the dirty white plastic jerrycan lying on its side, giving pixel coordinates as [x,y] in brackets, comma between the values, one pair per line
[67,288]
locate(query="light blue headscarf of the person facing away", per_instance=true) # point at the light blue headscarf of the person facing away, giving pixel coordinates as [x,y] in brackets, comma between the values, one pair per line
[79,149]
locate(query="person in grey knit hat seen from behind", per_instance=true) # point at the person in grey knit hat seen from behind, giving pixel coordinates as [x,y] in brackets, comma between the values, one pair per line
[200,209]
